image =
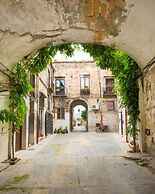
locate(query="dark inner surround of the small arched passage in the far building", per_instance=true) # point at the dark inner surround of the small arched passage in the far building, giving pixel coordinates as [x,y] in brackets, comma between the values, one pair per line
[72,106]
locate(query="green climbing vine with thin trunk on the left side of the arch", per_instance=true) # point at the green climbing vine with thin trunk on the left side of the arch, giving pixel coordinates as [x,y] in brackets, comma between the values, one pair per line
[20,86]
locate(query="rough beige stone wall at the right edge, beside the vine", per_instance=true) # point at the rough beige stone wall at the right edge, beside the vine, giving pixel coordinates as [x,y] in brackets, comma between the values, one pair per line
[147,114]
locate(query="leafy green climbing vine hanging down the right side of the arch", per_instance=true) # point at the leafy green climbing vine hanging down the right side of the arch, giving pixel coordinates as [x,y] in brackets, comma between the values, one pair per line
[127,73]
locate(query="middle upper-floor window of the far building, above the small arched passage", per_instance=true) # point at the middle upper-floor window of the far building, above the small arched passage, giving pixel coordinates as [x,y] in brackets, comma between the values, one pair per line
[85,85]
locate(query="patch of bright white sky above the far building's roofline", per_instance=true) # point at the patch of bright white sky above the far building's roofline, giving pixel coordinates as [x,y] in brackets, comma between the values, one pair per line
[79,55]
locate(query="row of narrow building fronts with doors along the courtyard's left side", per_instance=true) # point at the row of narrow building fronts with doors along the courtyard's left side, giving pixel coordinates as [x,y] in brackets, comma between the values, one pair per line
[39,117]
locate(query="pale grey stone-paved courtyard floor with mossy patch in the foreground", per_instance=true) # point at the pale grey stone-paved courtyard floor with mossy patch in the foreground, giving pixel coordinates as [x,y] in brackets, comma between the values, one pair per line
[77,163]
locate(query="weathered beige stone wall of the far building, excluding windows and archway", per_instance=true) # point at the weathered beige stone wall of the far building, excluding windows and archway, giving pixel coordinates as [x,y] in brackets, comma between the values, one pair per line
[72,71]
